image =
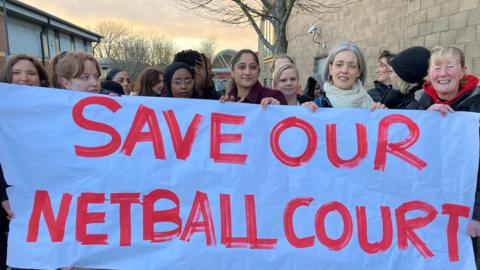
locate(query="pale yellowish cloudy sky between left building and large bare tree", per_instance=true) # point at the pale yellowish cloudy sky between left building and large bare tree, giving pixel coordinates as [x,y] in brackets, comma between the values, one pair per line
[161,17]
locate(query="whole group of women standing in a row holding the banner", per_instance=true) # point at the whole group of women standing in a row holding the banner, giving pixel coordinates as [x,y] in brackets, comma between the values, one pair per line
[400,82]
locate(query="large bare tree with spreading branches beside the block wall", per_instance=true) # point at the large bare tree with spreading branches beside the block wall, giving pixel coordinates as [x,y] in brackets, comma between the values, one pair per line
[254,12]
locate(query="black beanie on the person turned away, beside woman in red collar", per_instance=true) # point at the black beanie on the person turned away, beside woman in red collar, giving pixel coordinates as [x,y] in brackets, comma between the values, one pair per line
[411,65]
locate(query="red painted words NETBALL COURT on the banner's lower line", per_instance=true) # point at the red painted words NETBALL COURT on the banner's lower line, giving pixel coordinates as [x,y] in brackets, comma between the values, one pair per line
[200,221]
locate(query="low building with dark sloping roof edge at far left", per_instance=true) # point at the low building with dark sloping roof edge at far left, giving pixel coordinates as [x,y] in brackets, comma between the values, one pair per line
[26,29]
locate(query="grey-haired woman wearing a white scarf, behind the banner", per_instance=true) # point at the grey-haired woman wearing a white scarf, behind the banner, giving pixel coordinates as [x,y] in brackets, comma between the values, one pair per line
[344,76]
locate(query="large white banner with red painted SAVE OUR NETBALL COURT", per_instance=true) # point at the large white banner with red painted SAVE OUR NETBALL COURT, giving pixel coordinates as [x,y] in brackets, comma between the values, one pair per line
[157,183]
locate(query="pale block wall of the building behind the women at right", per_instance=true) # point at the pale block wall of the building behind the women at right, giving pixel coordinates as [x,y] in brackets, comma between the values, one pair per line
[386,24]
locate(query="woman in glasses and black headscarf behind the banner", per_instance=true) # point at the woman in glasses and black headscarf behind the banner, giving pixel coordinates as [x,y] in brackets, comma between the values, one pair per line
[179,79]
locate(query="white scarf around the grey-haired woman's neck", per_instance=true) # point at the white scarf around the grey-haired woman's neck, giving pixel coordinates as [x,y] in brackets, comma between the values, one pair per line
[355,98]
